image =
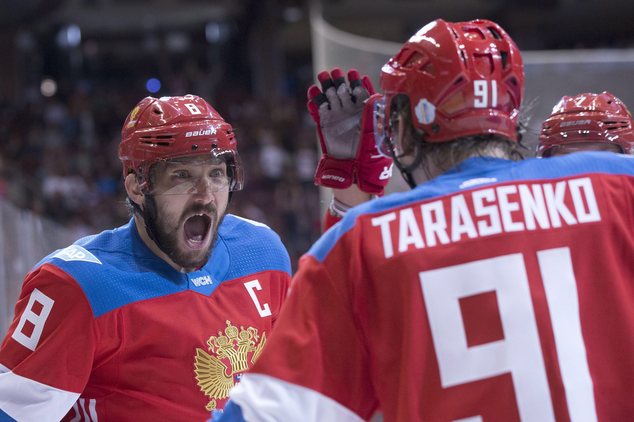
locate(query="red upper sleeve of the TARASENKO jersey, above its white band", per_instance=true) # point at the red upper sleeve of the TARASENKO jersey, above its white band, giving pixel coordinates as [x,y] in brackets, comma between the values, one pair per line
[317,344]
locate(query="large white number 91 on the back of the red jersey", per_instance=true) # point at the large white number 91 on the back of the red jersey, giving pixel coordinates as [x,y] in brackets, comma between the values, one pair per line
[519,352]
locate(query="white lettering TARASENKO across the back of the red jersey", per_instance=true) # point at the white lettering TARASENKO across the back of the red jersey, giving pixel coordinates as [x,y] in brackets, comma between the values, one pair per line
[486,212]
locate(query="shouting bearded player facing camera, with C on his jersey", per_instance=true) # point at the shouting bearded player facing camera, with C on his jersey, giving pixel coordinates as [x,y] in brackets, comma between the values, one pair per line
[157,319]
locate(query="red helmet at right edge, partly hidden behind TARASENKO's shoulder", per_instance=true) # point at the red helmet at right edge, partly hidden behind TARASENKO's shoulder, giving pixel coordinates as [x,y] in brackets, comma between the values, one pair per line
[585,121]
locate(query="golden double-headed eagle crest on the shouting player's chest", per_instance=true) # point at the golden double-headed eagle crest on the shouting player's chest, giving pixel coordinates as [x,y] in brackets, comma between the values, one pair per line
[218,372]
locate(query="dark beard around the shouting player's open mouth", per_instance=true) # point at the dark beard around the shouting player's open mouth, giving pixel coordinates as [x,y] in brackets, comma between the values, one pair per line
[164,231]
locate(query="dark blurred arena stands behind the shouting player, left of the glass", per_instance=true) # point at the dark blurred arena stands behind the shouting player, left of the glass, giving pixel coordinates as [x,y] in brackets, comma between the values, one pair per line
[72,85]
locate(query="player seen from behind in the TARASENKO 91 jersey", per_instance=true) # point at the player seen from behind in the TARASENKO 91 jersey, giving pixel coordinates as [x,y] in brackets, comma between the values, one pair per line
[495,290]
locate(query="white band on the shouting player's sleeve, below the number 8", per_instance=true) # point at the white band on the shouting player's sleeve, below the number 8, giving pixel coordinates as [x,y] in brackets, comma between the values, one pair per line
[27,400]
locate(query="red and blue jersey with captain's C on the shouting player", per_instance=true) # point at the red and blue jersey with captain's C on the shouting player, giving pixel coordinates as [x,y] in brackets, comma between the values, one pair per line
[105,330]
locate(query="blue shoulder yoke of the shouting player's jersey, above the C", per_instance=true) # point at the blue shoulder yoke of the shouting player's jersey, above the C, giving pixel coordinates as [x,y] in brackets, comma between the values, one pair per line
[116,268]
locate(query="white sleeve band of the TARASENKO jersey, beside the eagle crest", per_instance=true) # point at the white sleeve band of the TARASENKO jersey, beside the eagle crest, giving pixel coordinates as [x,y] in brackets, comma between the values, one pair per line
[265,398]
